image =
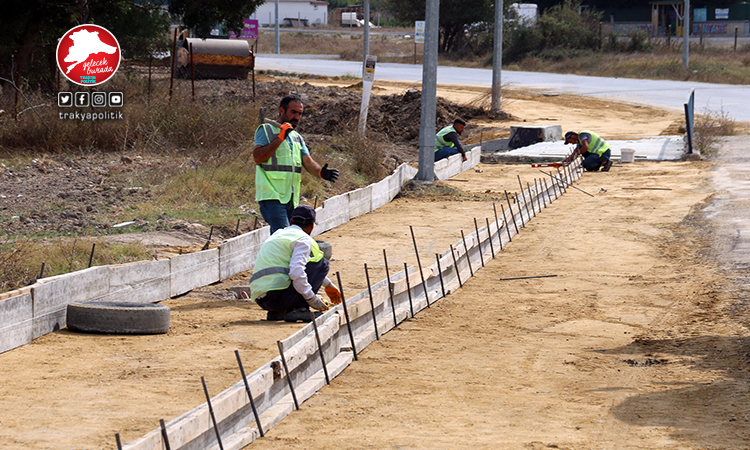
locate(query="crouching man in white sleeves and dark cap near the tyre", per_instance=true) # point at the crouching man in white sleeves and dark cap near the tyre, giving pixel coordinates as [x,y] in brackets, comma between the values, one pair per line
[289,271]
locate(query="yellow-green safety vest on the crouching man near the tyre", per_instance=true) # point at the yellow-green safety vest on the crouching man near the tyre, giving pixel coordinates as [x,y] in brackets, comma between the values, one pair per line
[271,271]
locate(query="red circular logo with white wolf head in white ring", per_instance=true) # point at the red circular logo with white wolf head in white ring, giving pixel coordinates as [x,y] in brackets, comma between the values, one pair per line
[88,55]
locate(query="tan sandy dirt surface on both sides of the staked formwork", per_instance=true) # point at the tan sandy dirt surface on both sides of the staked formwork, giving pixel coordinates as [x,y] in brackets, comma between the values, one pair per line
[639,341]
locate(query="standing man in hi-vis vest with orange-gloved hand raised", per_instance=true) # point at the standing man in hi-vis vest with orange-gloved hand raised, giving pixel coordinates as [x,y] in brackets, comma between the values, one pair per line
[279,154]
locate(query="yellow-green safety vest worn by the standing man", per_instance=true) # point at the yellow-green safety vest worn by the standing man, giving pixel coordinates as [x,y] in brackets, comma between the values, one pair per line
[280,176]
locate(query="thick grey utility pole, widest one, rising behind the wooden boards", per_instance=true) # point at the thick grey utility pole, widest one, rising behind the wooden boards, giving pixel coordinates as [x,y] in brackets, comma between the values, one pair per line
[426,171]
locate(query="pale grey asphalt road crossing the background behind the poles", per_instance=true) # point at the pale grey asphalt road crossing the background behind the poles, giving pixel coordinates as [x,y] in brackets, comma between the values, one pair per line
[733,100]
